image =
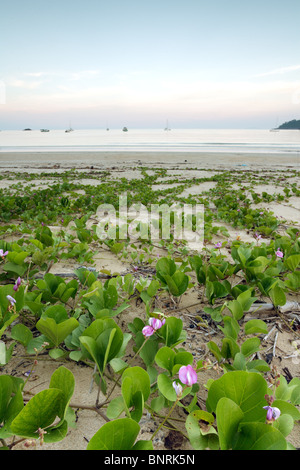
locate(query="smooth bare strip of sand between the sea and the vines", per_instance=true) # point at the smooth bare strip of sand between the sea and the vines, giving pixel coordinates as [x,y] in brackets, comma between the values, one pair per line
[104,159]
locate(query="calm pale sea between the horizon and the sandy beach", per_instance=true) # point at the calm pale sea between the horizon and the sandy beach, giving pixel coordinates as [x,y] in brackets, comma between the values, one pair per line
[153,140]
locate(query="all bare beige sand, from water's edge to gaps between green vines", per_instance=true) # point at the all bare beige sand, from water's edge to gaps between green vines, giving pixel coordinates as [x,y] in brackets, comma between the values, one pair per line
[124,165]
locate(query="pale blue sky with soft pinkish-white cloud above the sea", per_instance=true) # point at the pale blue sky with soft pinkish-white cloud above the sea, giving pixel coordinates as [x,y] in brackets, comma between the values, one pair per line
[194,63]
